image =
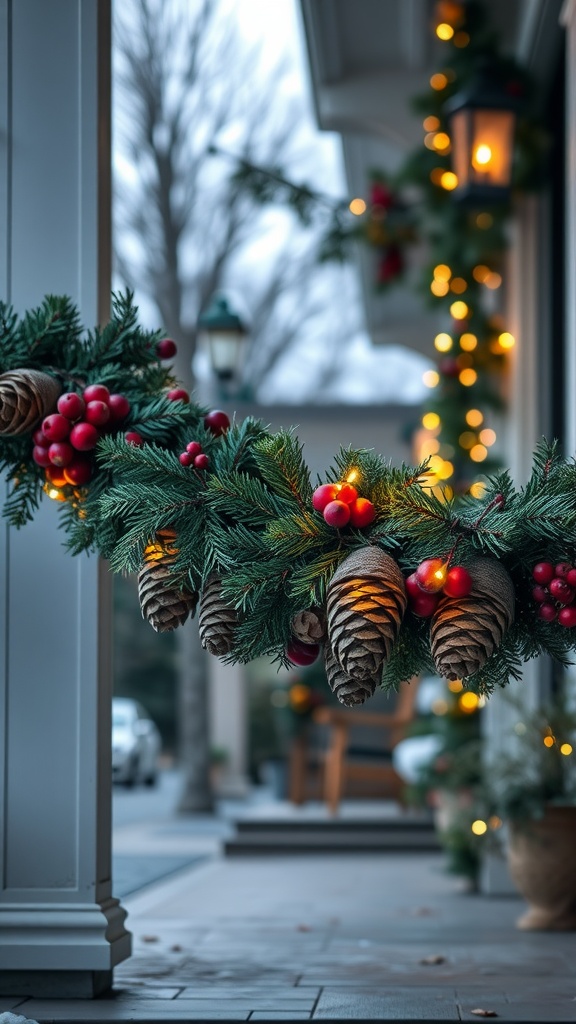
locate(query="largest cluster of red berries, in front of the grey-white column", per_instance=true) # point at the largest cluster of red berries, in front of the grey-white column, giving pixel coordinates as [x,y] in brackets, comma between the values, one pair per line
[62,444]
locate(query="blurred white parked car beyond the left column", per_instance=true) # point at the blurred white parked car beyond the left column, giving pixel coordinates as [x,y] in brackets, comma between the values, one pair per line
[136,744]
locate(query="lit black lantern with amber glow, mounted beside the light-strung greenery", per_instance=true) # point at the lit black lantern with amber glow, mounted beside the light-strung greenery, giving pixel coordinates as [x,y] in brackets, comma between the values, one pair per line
[482,131]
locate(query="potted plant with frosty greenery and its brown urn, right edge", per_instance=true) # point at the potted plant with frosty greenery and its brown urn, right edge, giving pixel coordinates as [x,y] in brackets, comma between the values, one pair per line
[533,790]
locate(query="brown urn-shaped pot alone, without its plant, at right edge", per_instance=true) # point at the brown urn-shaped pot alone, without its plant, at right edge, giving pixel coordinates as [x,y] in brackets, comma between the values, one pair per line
[542,862]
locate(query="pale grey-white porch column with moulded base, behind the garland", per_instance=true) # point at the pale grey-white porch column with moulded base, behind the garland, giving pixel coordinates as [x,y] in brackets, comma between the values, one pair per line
[61,930]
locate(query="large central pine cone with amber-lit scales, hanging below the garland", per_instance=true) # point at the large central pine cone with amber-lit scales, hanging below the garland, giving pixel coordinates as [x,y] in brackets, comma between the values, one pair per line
[366,602]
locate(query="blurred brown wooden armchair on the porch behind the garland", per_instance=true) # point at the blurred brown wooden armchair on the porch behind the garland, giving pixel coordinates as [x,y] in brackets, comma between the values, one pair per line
[325,775]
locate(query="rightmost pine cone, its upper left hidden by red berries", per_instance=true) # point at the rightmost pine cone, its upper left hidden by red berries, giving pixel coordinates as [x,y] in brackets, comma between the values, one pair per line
[466,631]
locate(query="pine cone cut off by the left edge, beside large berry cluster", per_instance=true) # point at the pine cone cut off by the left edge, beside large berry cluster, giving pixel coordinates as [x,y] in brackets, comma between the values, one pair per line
[26,398]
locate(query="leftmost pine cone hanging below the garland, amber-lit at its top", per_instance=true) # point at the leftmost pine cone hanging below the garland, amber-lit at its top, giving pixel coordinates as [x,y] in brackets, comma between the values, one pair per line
[163,605]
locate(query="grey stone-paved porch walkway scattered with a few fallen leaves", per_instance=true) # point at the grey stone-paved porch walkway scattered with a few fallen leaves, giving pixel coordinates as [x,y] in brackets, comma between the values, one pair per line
[323,937]
